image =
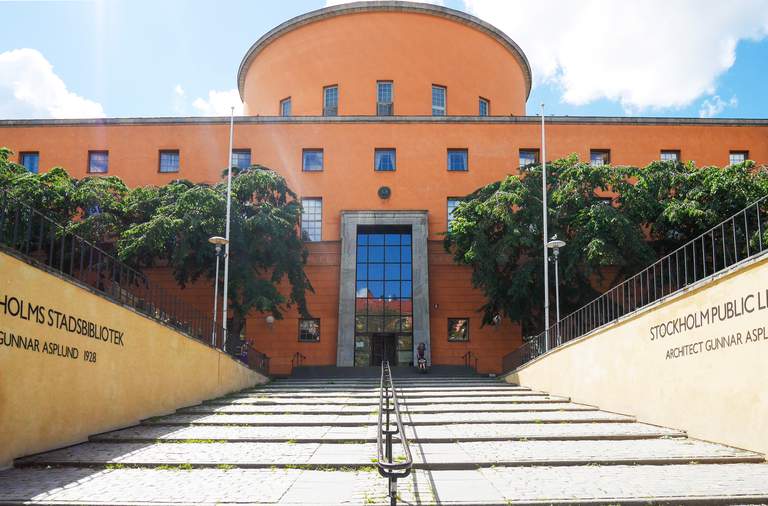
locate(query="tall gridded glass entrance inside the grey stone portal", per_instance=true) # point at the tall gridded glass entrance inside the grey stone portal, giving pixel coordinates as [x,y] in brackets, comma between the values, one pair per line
[383,298]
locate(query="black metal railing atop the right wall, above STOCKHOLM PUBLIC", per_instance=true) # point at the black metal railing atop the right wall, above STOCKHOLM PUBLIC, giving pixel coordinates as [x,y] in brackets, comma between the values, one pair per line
[736,239]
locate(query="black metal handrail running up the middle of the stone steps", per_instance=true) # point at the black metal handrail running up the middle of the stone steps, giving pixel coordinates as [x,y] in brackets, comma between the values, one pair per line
[390,467]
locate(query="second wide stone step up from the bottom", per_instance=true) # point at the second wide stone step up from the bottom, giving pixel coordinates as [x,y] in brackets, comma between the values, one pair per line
[462,455]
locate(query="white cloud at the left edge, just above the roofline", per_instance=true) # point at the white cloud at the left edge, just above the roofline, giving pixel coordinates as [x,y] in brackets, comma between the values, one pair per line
[29,88]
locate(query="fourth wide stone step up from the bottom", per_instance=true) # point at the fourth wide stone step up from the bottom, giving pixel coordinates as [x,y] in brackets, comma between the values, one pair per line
[408,419]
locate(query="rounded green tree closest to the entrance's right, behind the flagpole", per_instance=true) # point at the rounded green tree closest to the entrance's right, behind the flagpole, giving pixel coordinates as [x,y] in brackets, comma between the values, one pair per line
[497,232]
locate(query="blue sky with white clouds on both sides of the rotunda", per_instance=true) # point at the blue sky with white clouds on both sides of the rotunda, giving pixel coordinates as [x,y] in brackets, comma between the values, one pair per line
[157,58]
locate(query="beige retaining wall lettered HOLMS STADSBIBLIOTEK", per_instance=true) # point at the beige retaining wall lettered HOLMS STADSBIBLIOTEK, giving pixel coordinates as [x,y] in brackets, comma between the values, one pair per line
[64,386]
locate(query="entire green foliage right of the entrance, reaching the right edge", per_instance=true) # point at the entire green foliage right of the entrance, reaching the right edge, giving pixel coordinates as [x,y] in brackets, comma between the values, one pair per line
[615,220]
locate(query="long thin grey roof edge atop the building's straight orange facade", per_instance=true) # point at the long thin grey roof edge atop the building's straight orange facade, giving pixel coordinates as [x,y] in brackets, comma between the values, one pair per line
[503,120]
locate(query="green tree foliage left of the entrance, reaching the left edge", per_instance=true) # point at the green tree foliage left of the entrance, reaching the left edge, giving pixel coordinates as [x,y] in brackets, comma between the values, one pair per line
[171,225]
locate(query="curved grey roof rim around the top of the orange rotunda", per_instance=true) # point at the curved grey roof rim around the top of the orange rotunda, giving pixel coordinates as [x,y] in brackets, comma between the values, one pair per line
[385,6]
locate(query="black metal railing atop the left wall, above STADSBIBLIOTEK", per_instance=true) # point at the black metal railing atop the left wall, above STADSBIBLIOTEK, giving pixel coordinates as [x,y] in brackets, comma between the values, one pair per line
[44,242]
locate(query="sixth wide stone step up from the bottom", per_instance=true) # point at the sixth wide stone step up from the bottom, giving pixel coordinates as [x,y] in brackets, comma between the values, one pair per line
[374,401]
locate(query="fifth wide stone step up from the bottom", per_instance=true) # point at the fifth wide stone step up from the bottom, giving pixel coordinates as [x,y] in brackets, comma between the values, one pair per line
[351,409]
